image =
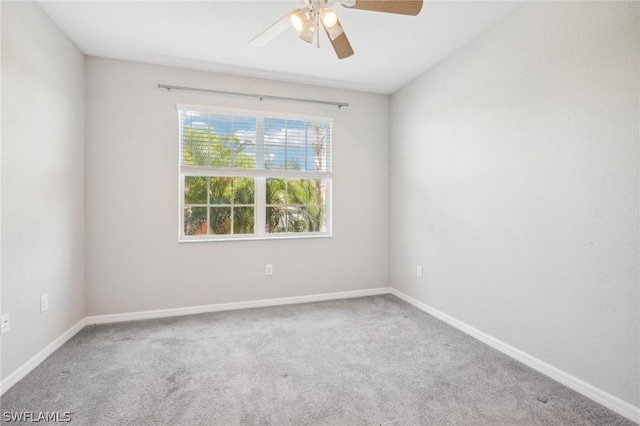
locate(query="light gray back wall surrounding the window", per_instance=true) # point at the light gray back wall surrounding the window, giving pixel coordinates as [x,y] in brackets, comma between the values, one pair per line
[134,261]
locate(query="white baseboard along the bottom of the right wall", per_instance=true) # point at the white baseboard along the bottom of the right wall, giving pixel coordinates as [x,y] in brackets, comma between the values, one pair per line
[612,402]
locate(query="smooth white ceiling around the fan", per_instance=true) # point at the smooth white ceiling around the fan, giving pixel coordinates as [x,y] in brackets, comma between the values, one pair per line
[390,50]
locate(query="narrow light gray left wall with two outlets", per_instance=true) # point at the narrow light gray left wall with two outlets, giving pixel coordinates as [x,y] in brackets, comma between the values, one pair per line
[42,181]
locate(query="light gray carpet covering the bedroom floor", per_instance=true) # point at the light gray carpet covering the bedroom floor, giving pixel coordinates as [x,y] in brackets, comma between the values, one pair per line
[367,361]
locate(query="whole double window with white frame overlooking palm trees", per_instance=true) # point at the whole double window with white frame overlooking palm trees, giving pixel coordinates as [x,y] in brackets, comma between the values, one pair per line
[250,176]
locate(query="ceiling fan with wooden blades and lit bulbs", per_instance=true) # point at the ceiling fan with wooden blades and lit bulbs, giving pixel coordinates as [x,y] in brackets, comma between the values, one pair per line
[318,13]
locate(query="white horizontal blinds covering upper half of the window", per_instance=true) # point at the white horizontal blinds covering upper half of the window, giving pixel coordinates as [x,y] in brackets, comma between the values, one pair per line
[233,142]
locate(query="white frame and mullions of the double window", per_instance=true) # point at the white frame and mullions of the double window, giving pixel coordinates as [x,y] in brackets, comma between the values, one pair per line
[259,175]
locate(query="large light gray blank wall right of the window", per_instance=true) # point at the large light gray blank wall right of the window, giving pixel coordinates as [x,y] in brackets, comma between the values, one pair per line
[515,185]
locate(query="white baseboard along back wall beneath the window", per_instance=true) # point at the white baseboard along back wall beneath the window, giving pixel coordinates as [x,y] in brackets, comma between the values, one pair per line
[163,313]
